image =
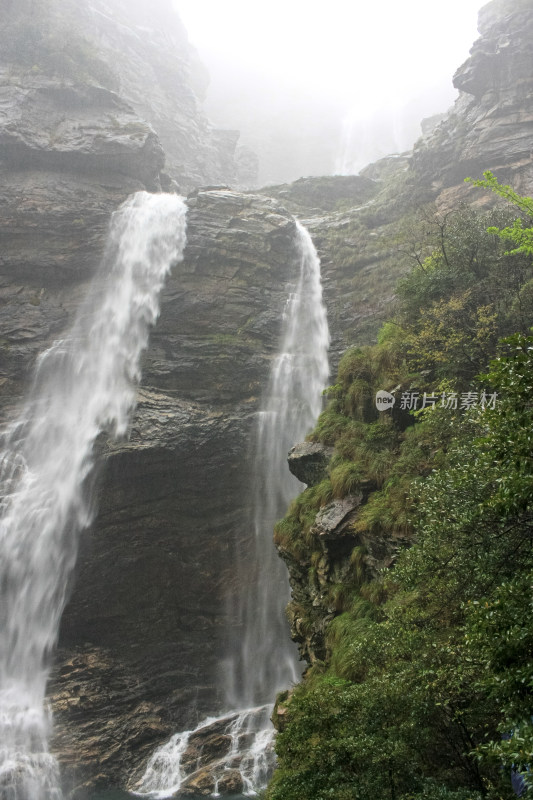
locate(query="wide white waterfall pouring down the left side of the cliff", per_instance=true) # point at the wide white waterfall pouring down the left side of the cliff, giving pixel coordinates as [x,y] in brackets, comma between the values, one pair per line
[83,384]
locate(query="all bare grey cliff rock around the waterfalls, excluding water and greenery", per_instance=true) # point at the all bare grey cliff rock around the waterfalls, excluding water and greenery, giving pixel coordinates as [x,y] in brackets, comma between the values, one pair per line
[145,625]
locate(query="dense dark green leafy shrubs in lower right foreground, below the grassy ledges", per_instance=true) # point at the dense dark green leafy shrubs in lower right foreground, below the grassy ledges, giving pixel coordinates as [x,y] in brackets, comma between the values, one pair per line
[435,674]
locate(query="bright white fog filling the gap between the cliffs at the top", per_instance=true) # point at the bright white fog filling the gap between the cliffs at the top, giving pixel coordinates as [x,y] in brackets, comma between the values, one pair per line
[321,88]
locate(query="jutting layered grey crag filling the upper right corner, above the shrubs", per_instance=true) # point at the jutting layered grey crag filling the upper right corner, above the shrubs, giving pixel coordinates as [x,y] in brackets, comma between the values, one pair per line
[490,126]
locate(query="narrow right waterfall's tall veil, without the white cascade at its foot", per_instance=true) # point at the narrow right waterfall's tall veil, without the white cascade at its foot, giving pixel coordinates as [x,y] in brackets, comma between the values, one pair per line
[267,661]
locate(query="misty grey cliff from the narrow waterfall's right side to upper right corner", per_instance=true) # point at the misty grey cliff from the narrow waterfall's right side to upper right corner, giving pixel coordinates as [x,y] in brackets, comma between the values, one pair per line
[369,230]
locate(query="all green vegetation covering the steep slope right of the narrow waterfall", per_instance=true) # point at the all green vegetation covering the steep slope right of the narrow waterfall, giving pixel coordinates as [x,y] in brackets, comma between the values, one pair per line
[426,689]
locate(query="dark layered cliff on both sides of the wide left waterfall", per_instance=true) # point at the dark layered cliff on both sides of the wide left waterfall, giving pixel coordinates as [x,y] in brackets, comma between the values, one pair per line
[145,629]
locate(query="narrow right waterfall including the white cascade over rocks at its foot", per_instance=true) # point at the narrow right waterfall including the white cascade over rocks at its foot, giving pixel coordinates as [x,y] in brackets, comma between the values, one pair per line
[265,660]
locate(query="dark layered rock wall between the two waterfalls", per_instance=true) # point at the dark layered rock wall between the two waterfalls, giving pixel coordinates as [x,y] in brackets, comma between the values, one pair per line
[155,570]
